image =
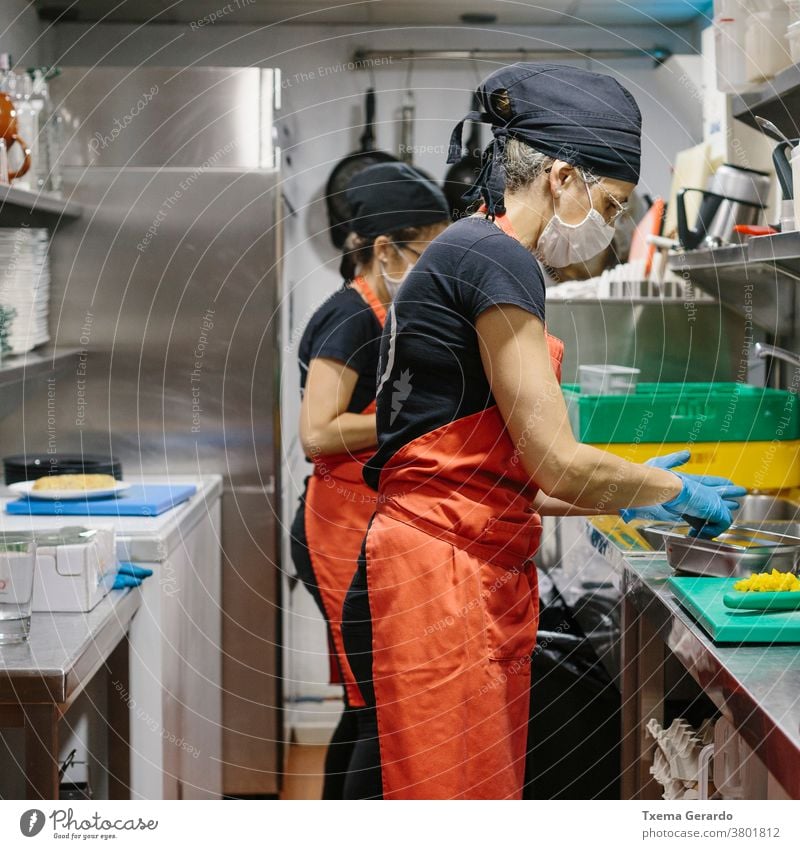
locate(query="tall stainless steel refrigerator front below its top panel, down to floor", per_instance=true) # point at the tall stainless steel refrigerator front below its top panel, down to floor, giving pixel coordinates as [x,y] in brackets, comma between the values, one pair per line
[170,285]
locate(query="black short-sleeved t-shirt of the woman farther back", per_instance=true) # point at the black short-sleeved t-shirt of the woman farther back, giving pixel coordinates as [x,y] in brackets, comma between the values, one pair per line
[344,328]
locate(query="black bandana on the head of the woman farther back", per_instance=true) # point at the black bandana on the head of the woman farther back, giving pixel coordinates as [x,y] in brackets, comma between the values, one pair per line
[392,195]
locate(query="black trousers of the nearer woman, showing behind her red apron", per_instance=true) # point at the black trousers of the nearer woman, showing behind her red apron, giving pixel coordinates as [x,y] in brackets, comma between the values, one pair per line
[364,778]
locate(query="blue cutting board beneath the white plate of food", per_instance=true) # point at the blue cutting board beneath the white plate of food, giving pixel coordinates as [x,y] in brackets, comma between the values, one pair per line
[139,500]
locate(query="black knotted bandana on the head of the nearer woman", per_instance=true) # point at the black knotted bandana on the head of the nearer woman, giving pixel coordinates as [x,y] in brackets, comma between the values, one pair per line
[577,116]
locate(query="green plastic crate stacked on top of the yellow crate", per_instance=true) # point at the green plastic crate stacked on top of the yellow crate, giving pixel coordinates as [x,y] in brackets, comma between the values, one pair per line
[681,412]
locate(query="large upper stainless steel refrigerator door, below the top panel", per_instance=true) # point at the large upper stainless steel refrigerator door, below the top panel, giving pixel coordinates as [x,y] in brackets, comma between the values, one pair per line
[170,283]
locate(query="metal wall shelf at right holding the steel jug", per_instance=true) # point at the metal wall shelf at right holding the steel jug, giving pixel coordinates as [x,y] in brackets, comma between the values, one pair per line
[758,280]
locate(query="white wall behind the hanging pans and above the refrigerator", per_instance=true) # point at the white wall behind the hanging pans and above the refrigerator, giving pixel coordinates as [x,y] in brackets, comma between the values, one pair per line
[320,122]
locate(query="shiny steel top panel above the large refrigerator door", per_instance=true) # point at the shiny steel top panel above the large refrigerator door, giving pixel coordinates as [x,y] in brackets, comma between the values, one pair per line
[154,116]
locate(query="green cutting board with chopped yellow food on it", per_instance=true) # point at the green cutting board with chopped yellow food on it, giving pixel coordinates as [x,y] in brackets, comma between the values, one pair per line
[702,597]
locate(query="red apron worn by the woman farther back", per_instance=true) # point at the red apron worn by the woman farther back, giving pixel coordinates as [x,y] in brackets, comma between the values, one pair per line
[339,506]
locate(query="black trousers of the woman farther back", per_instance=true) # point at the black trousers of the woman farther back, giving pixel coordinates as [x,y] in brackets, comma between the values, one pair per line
[345,736]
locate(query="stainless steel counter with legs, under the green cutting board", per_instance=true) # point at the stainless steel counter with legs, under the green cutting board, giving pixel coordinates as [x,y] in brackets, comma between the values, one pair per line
[756,687]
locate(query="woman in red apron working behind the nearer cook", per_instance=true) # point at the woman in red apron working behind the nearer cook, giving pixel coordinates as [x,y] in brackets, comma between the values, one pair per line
[396,212]
